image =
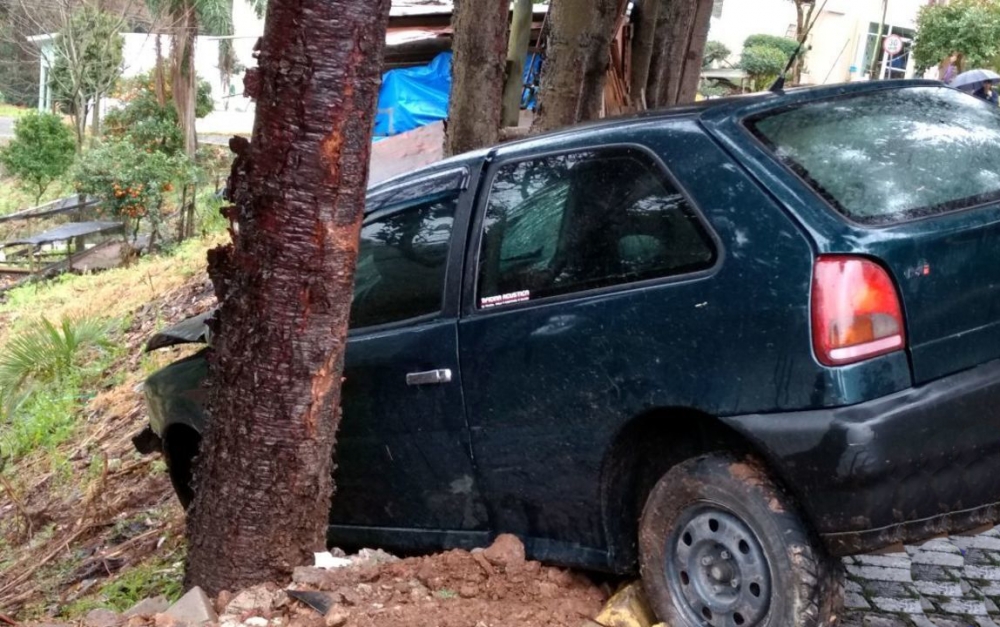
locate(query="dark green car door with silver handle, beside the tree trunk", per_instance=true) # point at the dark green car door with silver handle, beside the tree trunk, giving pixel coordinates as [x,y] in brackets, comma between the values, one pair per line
[404,469]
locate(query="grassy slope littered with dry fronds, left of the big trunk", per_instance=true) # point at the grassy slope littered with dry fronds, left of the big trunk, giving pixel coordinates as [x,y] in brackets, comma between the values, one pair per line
[85,521]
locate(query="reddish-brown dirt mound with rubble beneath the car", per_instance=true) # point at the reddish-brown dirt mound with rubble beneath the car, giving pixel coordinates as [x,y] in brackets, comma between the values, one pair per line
[495,586]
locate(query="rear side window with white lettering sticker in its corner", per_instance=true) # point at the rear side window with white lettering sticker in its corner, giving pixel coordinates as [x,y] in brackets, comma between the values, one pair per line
[585,220]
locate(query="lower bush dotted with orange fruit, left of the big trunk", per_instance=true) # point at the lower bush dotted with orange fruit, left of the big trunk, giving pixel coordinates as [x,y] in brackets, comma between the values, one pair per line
[130,181]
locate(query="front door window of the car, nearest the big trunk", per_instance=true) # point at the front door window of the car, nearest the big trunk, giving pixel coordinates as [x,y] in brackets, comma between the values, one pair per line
[402,261]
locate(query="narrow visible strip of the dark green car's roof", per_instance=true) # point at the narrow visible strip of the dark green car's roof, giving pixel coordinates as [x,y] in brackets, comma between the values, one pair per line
[737,106]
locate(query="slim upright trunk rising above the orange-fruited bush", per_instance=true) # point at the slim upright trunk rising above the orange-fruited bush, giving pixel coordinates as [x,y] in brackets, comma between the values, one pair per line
[183,80]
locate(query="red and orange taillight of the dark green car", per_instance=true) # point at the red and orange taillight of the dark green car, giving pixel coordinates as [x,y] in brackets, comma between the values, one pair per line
[856,312]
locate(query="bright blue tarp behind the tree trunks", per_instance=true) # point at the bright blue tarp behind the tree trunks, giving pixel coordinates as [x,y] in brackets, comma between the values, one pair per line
[414,97]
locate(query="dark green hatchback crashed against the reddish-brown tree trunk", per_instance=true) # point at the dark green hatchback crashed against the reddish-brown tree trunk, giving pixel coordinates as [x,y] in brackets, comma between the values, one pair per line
[719,345]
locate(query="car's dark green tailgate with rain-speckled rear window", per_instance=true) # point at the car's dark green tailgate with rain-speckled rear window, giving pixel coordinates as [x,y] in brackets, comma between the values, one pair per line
[911,177]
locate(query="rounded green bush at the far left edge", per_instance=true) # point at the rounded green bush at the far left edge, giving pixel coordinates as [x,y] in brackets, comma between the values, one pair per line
[41,151]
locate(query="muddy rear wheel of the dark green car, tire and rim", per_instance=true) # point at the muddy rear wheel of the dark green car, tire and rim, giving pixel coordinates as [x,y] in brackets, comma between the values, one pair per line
[721,544]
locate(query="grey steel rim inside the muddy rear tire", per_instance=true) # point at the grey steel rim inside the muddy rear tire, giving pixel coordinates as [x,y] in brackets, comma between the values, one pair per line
[716,569]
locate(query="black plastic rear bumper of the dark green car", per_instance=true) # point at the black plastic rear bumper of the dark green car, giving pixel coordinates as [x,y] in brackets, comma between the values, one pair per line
[902,468]
